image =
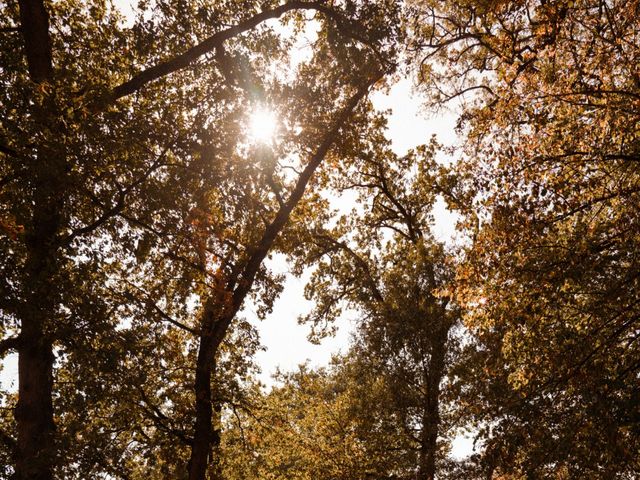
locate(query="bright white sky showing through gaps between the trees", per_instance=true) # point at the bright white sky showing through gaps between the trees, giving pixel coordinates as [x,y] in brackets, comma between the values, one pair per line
[285,342]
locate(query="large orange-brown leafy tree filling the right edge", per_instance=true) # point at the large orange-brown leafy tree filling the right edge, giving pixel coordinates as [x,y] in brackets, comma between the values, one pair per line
[549,185]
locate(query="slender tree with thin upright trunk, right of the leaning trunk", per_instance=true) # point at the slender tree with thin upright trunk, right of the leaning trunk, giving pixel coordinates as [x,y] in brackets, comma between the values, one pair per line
[382,261]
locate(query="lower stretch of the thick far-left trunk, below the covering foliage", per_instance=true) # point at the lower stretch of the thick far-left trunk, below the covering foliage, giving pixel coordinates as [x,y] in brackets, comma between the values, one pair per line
[34,411]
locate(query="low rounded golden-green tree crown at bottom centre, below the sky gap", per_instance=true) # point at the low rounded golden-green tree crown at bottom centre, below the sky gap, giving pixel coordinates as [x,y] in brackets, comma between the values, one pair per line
[323,424]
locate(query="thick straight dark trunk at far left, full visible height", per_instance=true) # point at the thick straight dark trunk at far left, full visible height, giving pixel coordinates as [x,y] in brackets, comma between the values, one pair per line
[35,453]
